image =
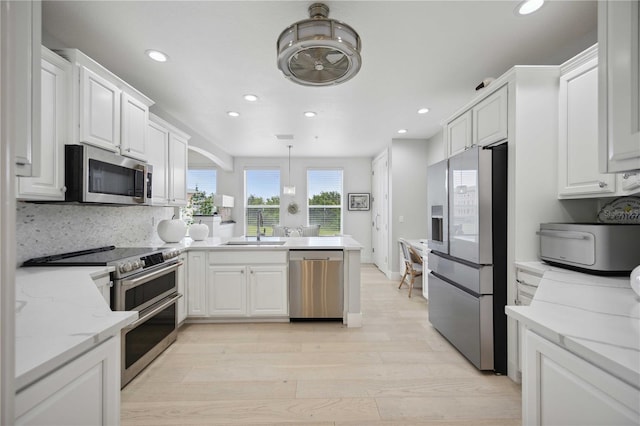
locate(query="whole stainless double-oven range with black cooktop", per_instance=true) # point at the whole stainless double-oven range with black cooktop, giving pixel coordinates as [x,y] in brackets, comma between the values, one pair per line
[145,280]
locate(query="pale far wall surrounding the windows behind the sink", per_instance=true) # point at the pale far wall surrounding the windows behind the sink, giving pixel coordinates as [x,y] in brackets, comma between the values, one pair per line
[356,178]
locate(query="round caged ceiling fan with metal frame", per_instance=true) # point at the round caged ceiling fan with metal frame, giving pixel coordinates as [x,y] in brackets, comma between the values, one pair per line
[319,51]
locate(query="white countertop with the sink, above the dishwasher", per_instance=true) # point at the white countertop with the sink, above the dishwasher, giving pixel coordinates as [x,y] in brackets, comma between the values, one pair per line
[290,243]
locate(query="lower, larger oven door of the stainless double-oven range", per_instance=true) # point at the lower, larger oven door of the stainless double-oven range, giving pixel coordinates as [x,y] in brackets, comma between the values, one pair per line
[145,339]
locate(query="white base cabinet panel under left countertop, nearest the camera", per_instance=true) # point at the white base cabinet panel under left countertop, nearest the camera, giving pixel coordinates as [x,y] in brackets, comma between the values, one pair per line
[86,391]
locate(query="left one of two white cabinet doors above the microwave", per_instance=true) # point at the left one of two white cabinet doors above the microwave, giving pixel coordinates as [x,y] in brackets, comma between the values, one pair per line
[99,111]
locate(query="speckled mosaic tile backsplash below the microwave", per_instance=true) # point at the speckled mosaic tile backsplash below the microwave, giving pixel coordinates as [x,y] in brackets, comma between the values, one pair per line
[46,229]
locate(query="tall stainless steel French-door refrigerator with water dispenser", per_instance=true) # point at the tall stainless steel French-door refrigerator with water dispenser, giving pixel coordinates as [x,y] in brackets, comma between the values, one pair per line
[467,197]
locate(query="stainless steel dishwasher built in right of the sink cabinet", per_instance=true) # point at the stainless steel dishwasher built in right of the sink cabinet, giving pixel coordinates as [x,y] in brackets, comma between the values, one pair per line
[316,284]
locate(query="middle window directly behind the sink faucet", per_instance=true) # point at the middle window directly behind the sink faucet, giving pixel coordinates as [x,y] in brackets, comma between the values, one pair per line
[262,193]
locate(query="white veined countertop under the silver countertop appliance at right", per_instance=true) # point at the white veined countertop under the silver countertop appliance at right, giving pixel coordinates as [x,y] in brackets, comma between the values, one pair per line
[594,317]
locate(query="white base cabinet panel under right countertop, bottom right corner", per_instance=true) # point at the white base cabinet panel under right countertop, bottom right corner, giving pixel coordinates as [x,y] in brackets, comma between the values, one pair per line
[560,388]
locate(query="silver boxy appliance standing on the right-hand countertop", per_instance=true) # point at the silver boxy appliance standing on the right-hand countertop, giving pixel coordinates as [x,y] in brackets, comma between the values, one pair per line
[595,248]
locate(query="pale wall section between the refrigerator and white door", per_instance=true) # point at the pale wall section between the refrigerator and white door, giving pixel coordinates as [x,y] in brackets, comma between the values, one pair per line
[408,213]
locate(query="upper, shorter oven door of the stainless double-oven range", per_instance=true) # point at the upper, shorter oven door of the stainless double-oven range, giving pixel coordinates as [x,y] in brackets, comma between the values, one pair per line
[141,291]
